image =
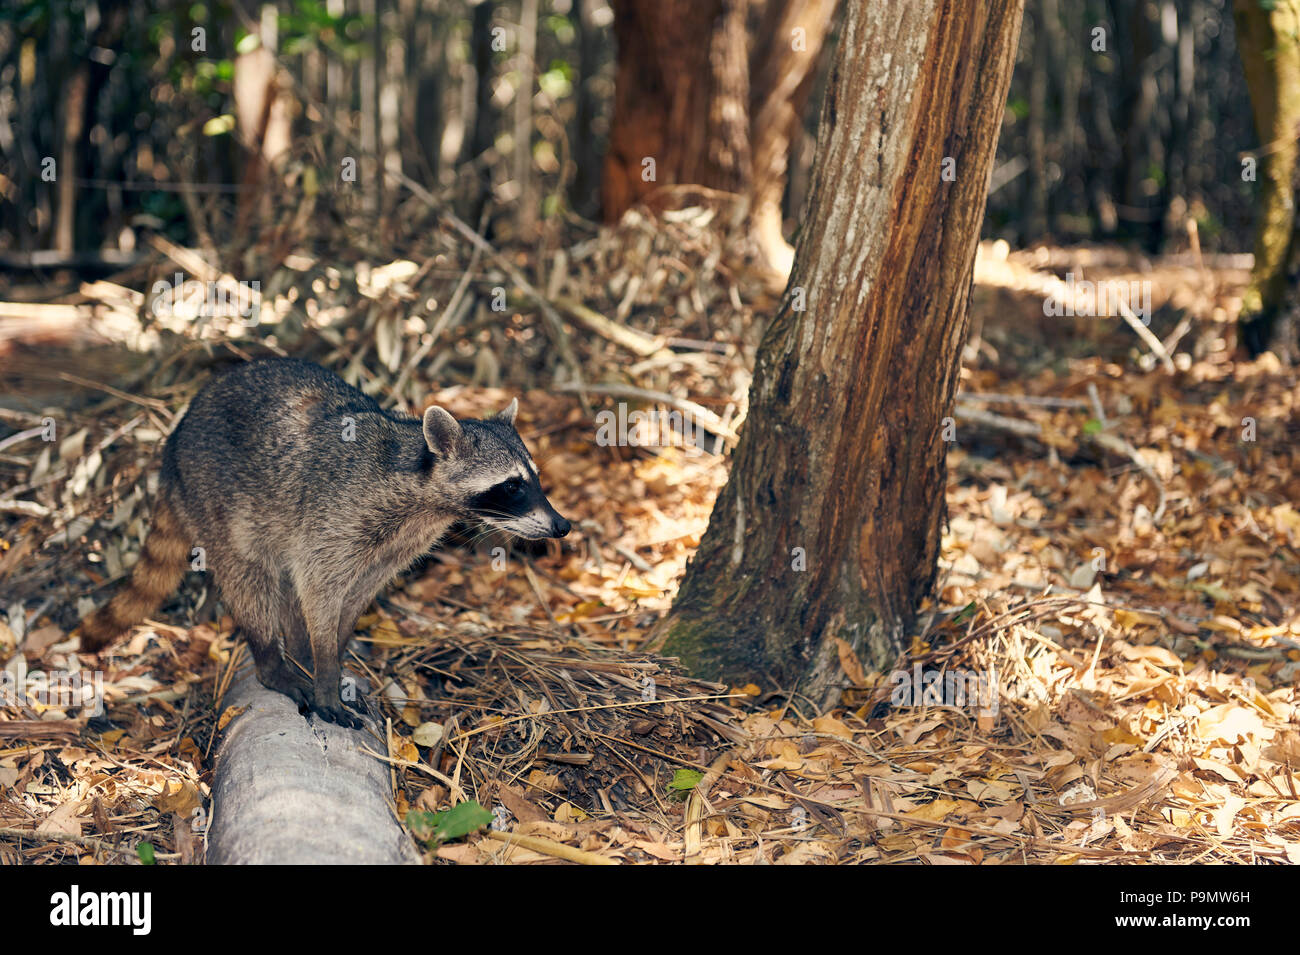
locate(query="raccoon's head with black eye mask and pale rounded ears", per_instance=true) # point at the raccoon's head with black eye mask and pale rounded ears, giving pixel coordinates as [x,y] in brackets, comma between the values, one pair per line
[491,474]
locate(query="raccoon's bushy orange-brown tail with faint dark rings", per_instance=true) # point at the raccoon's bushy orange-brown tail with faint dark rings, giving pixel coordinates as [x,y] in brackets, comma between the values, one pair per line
[157,574]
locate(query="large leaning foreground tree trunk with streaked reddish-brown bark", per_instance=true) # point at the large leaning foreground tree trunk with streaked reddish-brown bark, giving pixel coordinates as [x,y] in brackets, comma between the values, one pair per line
[829,528]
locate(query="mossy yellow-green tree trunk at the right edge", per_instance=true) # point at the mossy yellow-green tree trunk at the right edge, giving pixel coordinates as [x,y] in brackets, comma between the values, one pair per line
[1271,57]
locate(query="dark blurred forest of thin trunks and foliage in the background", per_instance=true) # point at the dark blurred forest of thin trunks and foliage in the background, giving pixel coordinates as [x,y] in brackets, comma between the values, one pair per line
[1126,118]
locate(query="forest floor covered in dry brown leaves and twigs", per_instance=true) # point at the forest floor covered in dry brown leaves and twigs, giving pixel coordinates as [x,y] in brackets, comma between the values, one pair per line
[1119,587]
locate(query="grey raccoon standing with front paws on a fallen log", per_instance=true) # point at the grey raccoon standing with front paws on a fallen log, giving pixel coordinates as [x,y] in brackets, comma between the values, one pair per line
[306,498]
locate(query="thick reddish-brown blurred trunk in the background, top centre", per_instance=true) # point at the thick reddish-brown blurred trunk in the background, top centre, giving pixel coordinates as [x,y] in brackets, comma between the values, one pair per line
[681,101]
